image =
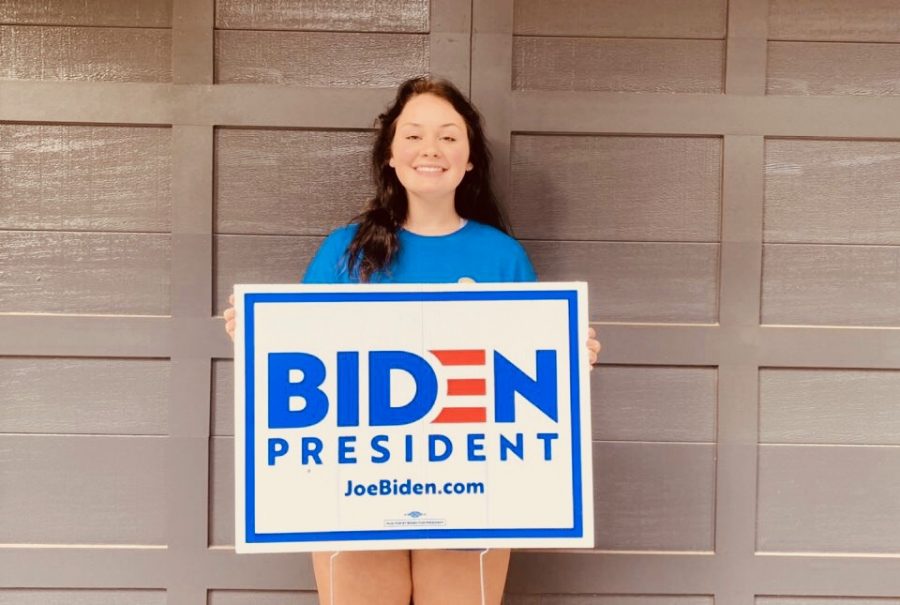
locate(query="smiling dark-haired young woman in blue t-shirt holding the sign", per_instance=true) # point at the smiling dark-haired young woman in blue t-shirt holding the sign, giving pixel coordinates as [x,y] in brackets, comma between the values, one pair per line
[434,218]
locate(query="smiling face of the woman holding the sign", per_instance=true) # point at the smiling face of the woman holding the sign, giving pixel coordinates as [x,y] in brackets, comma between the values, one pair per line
[430,149]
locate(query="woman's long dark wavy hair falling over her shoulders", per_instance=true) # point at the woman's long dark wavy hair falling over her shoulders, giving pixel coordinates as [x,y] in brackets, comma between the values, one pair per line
[376,242]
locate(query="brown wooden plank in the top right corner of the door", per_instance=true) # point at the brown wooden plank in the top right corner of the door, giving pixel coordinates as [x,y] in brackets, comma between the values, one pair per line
[868,21]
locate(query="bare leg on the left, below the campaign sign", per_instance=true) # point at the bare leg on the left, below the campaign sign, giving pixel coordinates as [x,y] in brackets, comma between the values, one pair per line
[364,577]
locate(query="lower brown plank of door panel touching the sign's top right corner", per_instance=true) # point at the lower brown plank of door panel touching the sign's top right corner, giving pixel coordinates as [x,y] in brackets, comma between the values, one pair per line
[636,282]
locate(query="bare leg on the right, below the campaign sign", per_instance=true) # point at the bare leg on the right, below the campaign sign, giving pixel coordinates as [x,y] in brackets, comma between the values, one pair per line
[449,577]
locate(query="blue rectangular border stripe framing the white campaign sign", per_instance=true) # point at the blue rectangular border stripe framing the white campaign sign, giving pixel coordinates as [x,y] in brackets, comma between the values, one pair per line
[250,300]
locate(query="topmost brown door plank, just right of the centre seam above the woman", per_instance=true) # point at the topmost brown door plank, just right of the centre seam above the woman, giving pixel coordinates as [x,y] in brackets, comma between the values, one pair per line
[612,18]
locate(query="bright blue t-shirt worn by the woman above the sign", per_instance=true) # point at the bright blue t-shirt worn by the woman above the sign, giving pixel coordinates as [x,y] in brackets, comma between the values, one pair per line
[476,251]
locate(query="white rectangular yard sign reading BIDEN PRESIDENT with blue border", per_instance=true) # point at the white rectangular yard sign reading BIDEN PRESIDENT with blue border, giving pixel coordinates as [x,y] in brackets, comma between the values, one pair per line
[412,416]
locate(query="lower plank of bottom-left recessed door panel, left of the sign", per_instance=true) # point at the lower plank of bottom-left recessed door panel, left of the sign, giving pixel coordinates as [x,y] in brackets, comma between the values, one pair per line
[82,490]
